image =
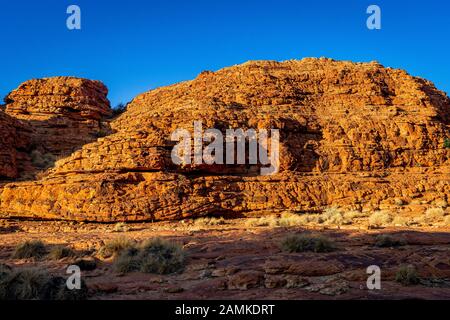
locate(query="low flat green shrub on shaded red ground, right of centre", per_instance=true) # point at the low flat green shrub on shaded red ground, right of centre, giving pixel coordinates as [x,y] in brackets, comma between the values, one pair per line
[302,243]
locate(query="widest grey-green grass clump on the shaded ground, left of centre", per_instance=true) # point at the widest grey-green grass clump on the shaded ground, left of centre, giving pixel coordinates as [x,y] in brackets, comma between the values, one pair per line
[153,256]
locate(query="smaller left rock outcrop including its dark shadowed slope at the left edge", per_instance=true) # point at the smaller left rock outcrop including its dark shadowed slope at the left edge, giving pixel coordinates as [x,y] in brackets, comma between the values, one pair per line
[55,117]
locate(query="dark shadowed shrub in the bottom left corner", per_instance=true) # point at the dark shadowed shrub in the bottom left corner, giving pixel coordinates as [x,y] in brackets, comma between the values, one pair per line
[36,284]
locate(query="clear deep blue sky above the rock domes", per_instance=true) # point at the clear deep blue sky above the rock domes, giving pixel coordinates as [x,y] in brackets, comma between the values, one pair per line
[137,45]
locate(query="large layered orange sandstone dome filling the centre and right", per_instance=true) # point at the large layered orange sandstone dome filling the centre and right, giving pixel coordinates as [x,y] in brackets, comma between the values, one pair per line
[355,135]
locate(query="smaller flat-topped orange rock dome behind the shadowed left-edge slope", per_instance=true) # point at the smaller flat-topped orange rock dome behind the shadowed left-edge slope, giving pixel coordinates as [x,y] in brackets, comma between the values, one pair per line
[64,112]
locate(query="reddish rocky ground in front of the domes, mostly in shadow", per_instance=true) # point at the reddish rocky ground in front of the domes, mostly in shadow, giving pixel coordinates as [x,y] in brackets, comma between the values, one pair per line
[243,259]
